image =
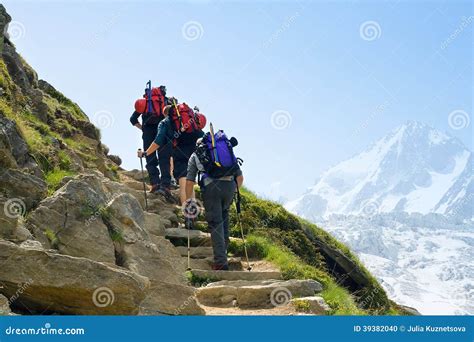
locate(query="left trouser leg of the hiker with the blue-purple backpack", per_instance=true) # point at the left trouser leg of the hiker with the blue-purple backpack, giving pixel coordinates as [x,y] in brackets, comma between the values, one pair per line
[213,205]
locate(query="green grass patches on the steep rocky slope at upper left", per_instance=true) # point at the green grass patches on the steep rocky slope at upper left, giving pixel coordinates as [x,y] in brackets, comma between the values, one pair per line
[42,138]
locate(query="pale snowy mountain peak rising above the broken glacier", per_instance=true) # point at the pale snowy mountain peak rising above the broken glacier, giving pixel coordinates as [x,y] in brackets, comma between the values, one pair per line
[415,168]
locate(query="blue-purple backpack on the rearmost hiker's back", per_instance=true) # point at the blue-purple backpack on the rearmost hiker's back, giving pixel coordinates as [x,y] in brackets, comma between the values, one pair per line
[216,154]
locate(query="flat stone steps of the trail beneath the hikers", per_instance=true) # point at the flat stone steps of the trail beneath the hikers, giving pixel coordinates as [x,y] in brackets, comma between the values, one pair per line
[238,291]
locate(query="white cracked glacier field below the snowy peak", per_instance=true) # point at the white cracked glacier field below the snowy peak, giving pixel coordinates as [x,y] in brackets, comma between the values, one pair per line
[422,261]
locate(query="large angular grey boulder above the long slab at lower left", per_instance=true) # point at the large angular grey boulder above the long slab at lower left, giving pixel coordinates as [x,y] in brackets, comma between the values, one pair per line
[71,222]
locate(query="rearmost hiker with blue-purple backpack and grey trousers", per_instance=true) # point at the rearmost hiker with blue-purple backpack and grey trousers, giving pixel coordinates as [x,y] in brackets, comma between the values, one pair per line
[219,173]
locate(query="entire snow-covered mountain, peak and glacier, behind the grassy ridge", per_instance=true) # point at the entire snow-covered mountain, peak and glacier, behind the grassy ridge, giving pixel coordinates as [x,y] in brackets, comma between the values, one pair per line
[405,206]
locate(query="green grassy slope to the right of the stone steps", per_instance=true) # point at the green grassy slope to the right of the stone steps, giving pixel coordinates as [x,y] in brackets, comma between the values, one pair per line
[304,251]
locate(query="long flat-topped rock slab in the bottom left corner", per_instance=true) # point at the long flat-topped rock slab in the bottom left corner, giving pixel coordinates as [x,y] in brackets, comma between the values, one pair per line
[64,284]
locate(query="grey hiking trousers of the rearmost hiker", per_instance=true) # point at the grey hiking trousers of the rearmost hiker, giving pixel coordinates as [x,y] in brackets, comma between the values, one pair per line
[217,198]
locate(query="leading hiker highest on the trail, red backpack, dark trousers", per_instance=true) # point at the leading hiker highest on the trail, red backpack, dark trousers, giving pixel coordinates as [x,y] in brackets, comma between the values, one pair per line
[150,108]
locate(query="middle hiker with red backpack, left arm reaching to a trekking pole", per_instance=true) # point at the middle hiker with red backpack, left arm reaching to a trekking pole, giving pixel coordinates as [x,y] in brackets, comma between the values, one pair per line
[181,128]
